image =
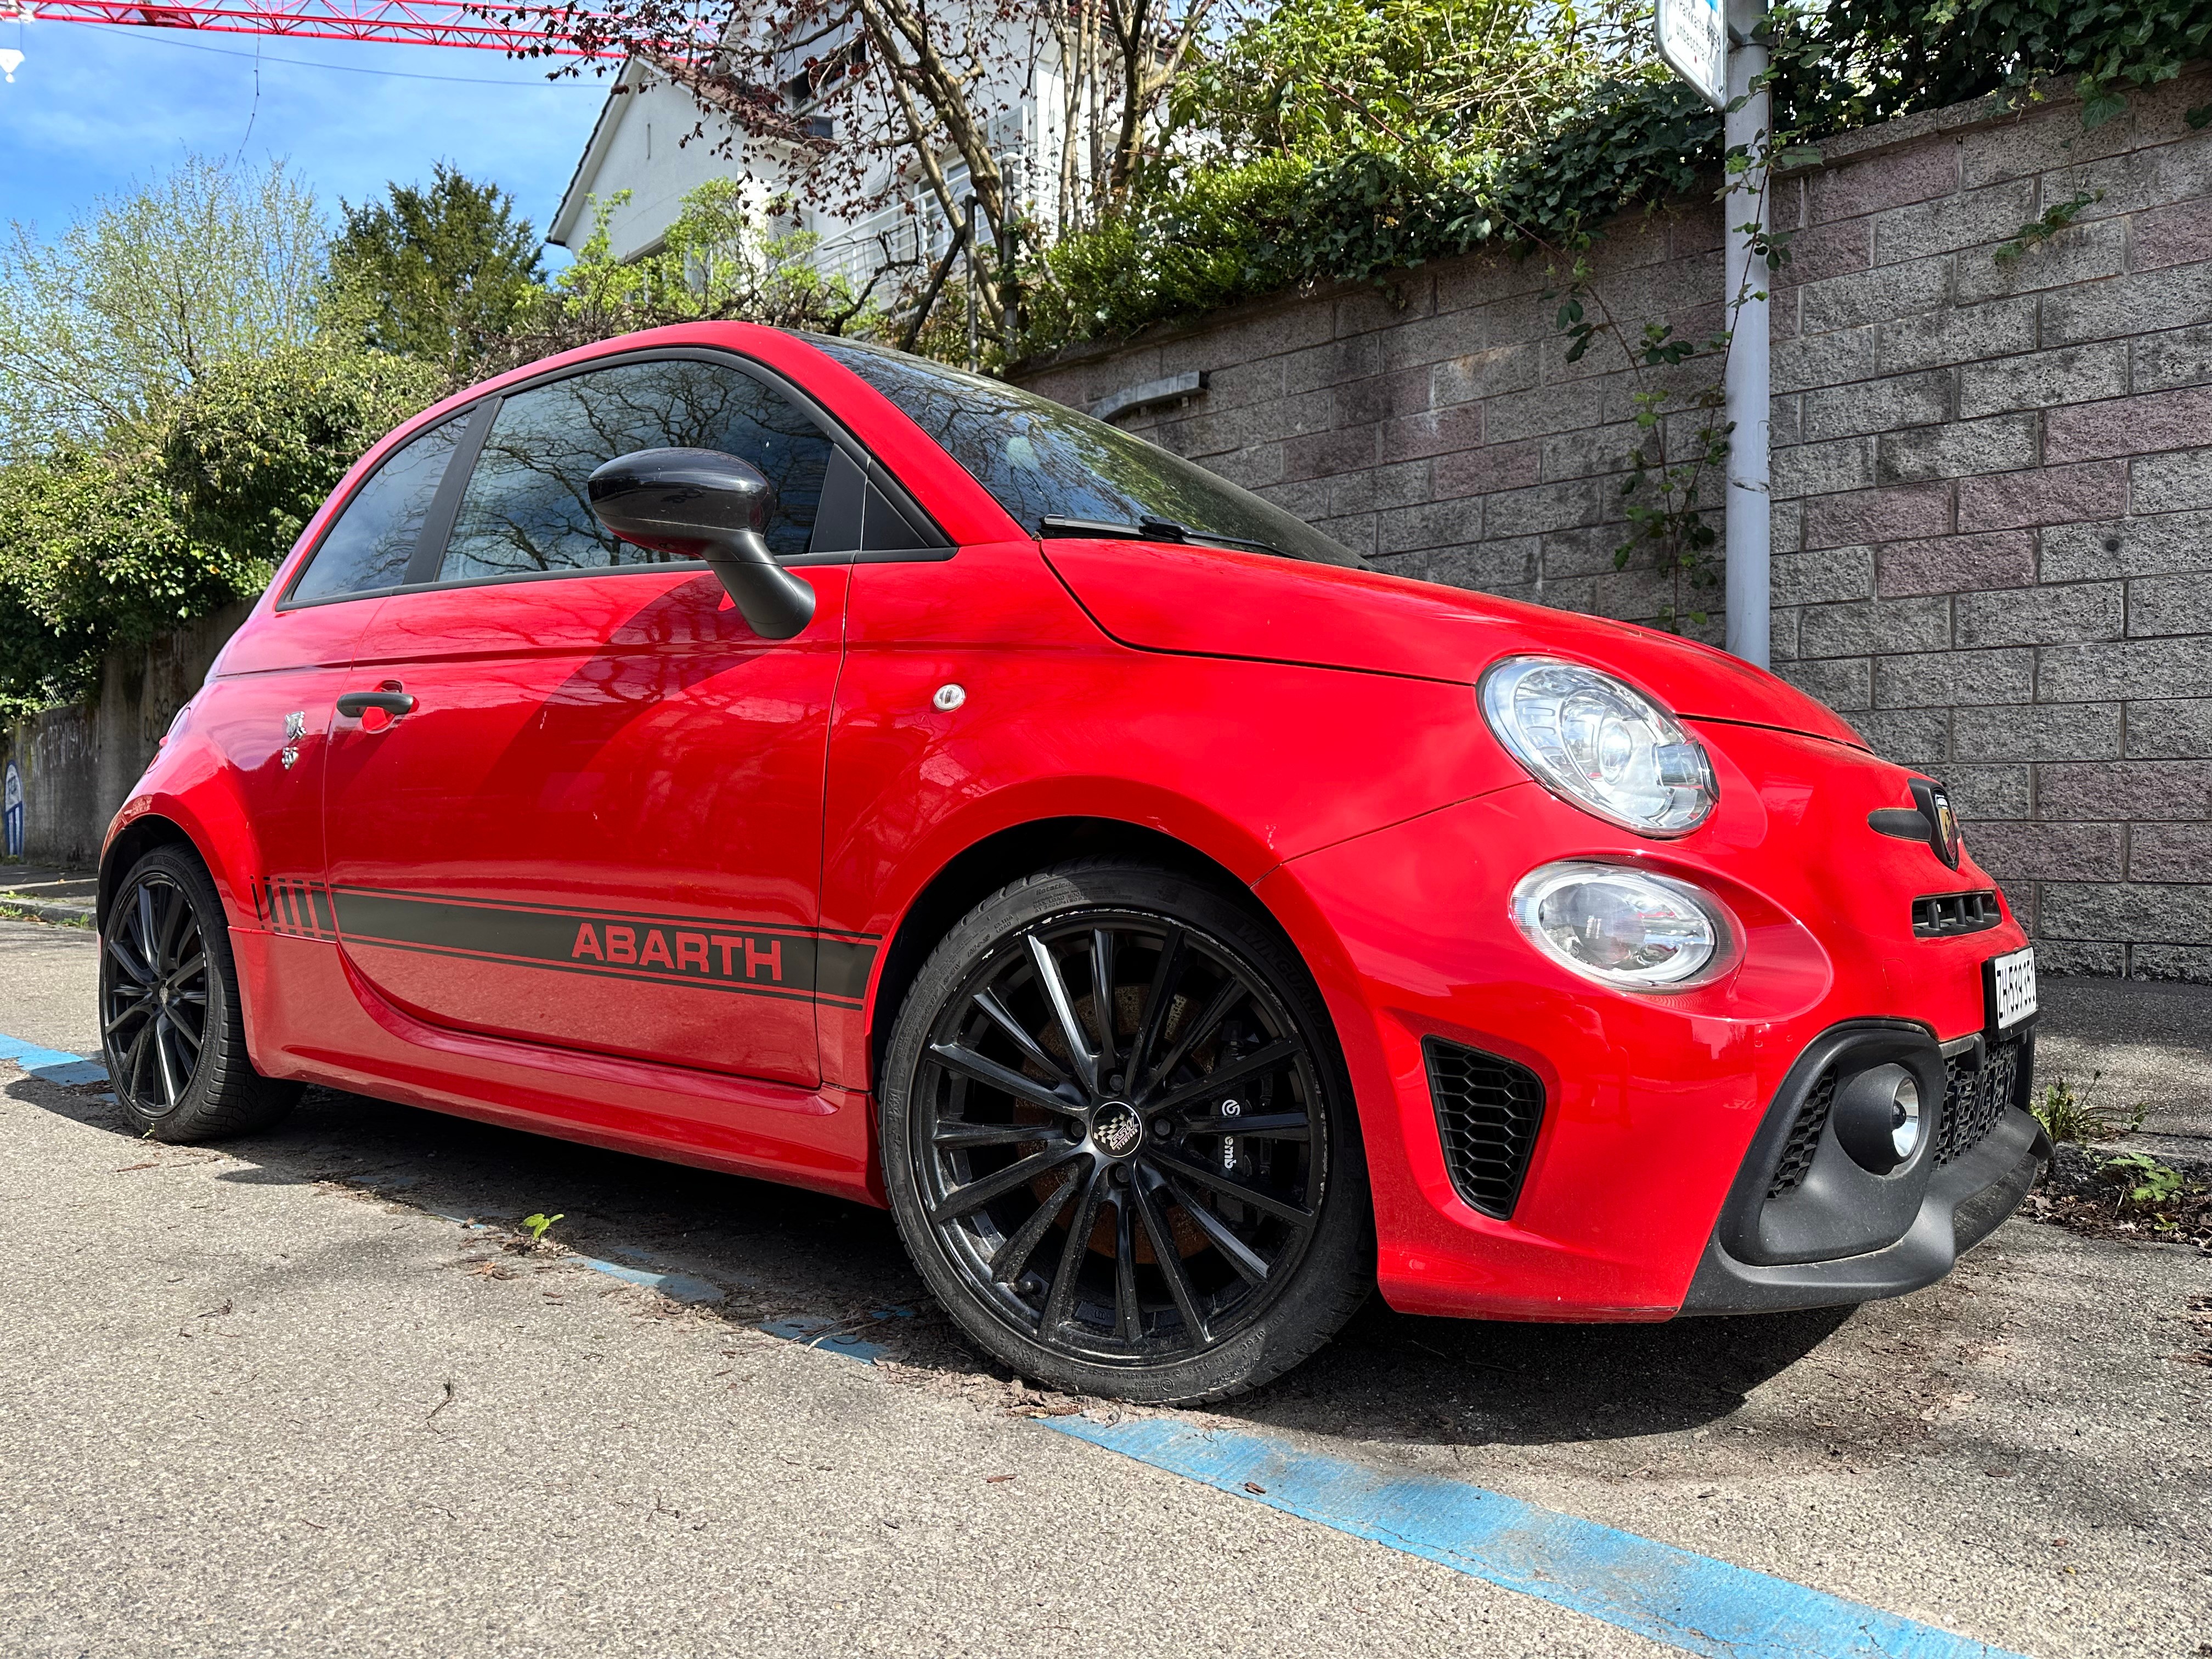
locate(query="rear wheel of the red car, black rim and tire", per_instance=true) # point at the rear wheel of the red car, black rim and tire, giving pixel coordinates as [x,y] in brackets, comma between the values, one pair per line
[171,1021]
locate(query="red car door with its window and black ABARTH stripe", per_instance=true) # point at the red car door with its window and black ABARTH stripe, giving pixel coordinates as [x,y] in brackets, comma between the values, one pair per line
[592,811]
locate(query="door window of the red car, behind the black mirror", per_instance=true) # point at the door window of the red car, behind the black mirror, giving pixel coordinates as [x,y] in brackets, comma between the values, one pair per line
[528,510]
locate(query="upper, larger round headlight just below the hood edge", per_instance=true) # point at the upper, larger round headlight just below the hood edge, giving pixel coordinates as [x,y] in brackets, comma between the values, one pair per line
[1600,744]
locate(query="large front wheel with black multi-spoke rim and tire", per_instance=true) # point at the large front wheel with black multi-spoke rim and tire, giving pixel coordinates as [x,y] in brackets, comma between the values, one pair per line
[1171,1211]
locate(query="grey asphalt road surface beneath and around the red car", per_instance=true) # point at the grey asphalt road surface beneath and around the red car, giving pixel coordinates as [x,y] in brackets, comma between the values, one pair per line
[309,1395]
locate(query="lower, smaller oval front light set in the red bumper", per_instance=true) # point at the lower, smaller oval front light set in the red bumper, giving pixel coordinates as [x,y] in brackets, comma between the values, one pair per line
[1623,928]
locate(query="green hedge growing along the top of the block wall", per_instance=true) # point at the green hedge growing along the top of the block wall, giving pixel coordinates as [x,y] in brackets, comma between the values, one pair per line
[1231,233]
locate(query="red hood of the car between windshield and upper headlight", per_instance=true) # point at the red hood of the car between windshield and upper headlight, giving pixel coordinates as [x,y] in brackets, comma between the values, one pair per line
[1220,603]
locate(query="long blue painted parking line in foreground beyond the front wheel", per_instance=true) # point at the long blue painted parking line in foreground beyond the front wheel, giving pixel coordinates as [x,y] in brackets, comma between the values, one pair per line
[1667,1594]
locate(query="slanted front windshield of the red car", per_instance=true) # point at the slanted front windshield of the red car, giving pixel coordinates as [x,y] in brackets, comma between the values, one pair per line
[1043,461]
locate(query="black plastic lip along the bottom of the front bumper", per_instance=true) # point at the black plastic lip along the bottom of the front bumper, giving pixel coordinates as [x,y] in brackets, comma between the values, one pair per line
[1965,1202]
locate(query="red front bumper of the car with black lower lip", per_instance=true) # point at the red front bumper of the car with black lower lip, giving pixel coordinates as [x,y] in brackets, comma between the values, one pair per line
[1647,1107]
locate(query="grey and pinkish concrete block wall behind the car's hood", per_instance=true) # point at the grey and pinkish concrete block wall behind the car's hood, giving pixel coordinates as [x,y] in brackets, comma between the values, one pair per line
[1992,479]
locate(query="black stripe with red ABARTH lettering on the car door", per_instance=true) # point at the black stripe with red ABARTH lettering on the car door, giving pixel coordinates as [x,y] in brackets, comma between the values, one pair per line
[691,952]
